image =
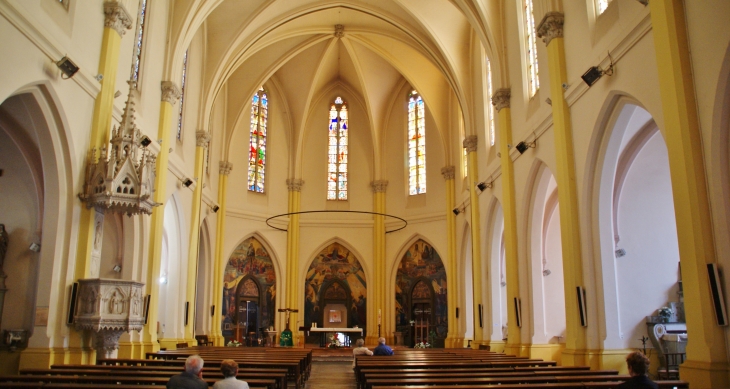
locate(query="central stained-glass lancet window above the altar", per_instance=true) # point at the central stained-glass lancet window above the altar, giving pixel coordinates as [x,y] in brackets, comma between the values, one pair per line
[337,164]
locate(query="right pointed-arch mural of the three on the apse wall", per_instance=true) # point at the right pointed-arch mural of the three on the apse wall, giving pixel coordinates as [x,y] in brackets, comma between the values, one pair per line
[420,293]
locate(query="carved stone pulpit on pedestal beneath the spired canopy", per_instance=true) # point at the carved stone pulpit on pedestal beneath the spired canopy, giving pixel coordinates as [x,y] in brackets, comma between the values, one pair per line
[109,308]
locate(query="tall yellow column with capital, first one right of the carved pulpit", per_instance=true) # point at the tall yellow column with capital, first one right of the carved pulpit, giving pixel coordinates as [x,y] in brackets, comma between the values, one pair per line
[170,95]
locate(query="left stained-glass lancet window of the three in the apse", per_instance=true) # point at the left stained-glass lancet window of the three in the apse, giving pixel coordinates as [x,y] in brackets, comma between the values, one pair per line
[257,141]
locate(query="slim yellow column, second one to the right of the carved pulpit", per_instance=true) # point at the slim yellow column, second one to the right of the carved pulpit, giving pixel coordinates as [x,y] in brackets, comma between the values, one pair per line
[201,144]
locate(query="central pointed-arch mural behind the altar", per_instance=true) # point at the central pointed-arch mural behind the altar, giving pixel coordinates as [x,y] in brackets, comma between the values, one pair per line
[337,269]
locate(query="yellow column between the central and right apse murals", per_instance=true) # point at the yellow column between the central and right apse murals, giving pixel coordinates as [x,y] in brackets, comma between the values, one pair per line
[378,284]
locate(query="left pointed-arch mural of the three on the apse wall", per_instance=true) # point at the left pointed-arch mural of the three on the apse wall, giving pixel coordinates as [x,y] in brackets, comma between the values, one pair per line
[249,283]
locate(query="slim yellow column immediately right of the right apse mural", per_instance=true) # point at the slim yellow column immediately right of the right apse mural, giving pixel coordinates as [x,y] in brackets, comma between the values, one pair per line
[453,340]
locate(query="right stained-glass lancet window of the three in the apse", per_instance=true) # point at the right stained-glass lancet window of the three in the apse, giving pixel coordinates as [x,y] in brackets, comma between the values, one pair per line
[416,144]
